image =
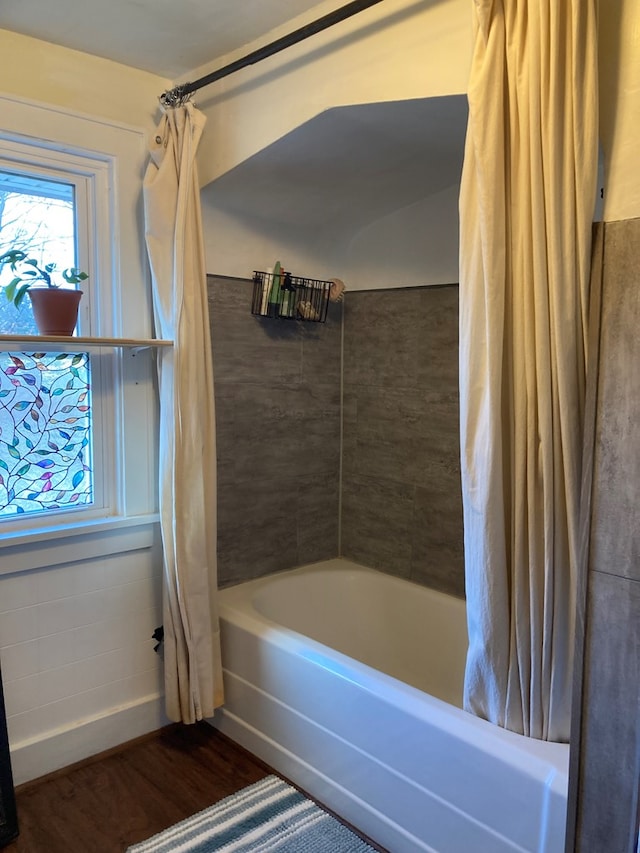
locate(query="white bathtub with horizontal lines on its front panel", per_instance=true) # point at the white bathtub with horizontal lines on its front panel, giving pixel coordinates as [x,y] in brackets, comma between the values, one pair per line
[349,681]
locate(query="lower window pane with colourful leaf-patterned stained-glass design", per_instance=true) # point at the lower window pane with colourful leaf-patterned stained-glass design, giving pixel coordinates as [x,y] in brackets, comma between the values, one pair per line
[45,432]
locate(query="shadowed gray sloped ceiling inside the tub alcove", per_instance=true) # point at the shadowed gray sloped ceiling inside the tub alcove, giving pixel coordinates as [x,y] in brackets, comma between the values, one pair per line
[348,167]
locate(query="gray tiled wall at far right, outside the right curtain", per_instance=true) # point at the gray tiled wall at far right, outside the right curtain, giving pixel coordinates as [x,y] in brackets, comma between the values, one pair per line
[607,735]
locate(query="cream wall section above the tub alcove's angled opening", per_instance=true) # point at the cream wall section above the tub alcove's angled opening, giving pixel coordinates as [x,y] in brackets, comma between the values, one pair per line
[393,51]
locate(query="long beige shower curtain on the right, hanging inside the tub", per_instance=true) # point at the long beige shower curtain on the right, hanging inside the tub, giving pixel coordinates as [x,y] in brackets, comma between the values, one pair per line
[526,207]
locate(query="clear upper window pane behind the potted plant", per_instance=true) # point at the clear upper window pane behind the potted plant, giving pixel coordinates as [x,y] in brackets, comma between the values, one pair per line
[37,216]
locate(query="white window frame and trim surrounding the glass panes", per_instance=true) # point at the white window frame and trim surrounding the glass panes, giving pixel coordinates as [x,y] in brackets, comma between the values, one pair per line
[110,158]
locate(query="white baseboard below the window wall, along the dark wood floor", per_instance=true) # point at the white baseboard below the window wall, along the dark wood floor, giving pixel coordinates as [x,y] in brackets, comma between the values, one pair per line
[36,757]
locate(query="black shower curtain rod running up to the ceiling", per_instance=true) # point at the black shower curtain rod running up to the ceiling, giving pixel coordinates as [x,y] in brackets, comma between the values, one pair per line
[177,95]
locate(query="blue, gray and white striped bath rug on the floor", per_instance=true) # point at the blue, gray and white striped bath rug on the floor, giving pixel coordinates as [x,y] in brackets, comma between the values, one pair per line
[265,817]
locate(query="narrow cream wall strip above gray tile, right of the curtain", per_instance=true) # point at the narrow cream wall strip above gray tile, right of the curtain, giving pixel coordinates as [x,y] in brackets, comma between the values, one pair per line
[619,26]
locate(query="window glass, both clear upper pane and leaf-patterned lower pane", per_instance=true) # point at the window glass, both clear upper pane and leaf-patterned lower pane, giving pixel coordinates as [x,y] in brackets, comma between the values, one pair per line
[46,416]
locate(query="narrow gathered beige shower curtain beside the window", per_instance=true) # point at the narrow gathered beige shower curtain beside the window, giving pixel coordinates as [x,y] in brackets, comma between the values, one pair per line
[192,668]
